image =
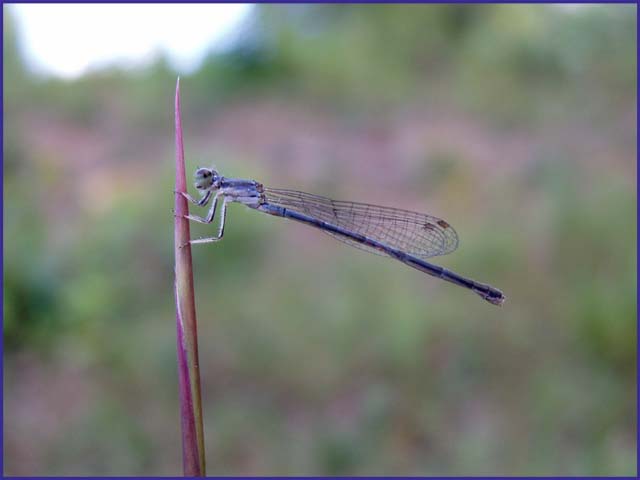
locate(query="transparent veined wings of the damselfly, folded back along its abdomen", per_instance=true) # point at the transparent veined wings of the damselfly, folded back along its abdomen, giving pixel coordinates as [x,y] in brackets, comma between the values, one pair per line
[420,235]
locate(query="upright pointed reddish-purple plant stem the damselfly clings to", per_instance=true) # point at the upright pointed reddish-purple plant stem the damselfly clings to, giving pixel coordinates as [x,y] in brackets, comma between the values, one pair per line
[187,335]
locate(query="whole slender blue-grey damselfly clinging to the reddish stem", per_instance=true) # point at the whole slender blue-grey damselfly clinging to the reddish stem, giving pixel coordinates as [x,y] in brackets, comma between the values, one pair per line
[403,235]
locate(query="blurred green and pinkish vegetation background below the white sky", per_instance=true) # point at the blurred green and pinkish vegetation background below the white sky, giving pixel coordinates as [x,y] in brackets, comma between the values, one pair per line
[517,124]
